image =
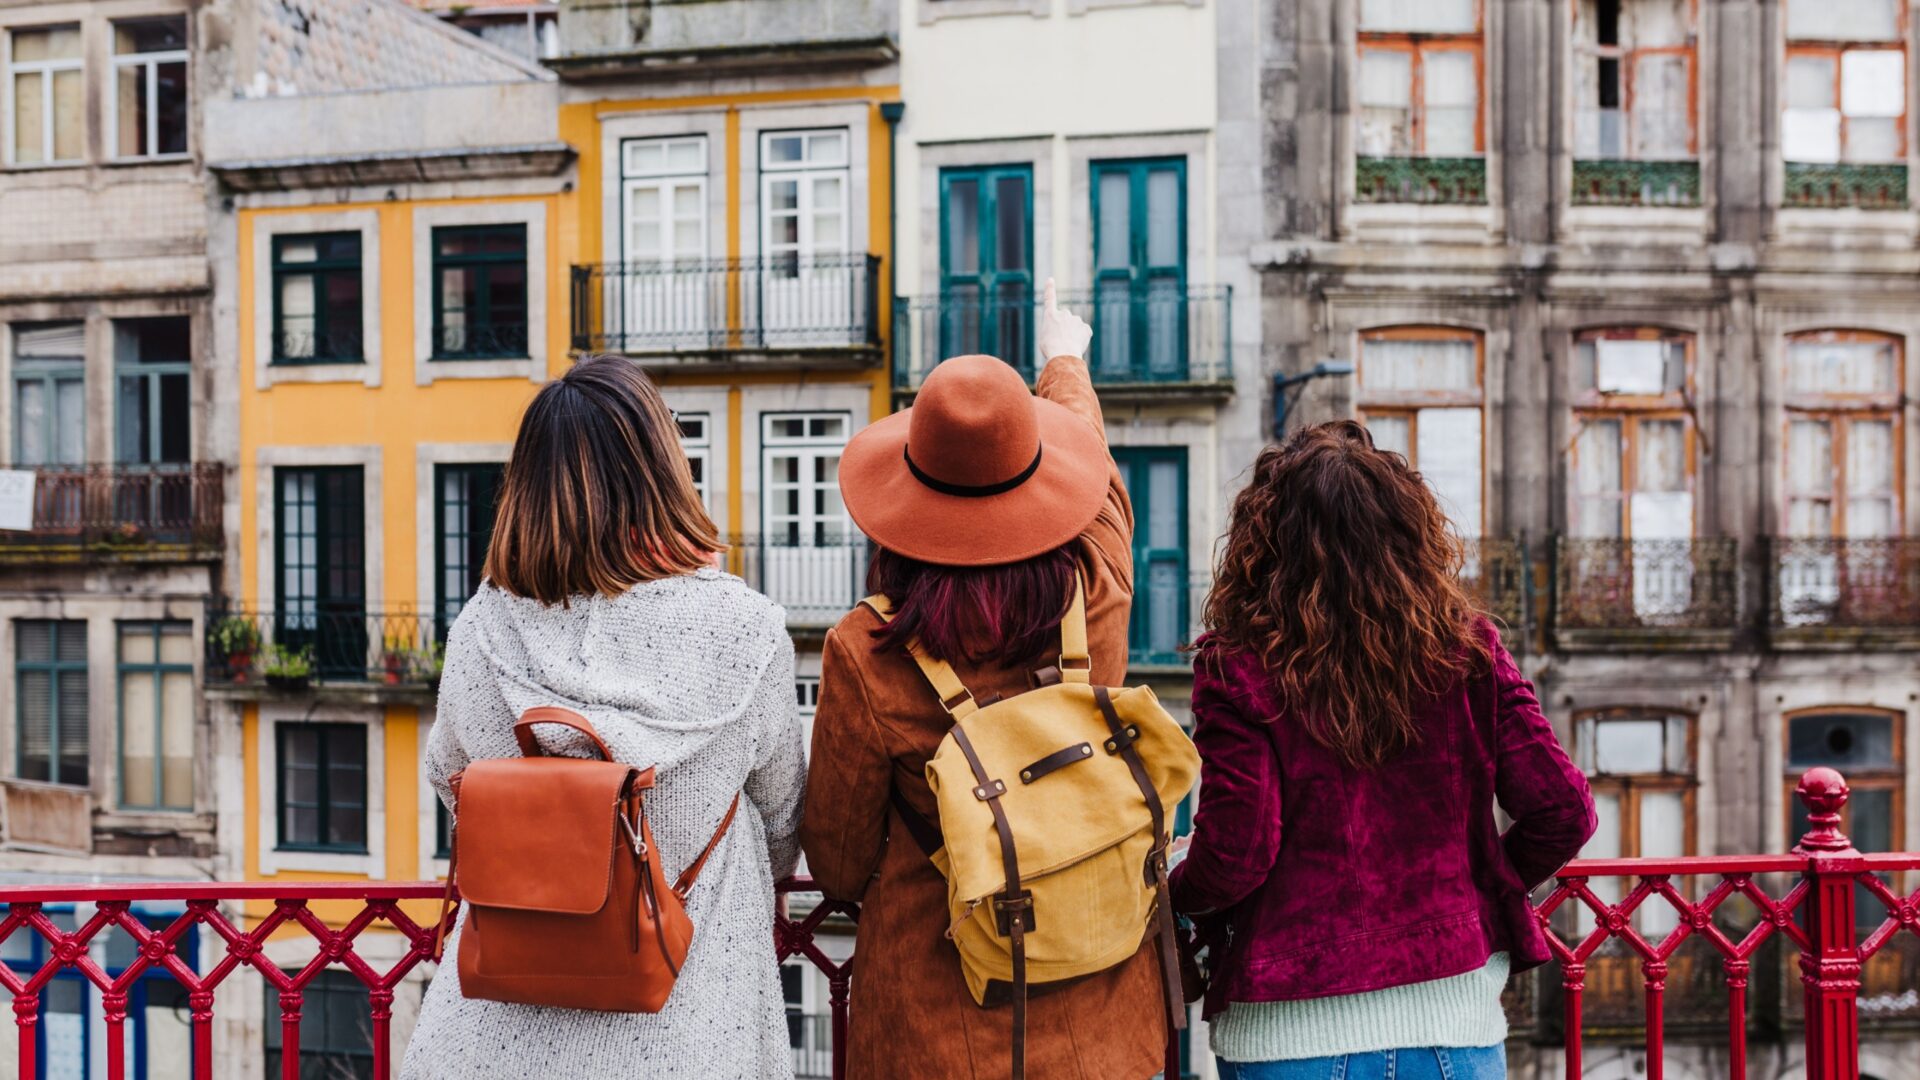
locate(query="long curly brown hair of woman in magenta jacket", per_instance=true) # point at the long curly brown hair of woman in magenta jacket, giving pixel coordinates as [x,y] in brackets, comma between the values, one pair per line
[1343,576]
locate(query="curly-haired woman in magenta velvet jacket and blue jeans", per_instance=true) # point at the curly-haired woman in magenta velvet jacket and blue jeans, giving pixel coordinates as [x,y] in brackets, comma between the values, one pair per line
[1358,724]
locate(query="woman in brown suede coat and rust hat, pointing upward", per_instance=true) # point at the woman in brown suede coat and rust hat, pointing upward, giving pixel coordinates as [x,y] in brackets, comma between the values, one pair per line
[984,501]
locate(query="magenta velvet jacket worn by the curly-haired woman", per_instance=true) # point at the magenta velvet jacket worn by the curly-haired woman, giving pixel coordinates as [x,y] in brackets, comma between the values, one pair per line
[1335,881]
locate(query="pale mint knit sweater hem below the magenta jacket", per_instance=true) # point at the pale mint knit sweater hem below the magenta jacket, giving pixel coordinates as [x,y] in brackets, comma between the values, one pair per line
[1460,1012]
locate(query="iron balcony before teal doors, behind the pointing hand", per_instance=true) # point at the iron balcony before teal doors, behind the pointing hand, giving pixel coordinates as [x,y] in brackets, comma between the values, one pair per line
[1155,345]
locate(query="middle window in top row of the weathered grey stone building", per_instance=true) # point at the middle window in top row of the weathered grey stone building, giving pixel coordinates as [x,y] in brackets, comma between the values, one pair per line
[1635,80]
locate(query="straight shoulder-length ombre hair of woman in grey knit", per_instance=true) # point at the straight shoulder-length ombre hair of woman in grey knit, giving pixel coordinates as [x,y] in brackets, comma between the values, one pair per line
[598,495]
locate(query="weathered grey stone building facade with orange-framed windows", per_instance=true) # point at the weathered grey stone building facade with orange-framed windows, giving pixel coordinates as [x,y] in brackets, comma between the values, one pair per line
[1631,282]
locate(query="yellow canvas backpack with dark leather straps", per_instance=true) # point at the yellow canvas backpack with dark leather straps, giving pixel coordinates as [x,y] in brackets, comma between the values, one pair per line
[1053,825]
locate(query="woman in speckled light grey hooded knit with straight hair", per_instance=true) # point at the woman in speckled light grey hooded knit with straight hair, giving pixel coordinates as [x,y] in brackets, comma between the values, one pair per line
[602,599]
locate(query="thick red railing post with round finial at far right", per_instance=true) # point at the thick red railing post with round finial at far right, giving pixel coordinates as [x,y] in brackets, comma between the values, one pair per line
[1831,966]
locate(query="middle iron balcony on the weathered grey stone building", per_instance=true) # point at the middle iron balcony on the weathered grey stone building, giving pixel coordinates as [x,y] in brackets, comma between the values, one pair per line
[1646,595]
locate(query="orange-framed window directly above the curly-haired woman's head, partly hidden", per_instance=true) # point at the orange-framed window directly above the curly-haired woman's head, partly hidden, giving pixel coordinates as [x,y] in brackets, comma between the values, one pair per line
[1422,395]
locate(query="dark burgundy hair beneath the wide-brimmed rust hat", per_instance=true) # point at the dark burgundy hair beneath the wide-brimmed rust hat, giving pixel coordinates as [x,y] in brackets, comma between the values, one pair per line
[1007,614]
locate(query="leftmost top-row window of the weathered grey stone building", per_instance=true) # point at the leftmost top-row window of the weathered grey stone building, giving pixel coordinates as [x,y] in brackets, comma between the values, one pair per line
[1420,78]
